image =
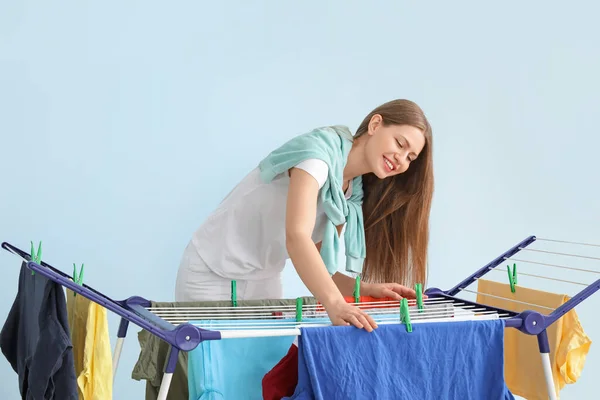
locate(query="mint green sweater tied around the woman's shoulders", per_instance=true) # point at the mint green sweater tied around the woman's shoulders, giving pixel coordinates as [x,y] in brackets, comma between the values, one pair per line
[332,145]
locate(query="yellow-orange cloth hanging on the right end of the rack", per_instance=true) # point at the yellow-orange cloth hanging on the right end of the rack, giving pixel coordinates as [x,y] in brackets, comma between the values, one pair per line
[569,344]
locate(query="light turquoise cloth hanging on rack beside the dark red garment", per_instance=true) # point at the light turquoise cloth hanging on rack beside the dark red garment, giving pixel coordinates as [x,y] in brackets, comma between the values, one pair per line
[233,368]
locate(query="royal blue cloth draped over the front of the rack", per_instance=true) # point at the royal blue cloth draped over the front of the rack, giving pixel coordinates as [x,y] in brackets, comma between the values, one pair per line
[438,360]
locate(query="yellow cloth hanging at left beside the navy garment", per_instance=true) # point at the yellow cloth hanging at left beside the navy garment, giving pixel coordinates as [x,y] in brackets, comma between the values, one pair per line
[91,347]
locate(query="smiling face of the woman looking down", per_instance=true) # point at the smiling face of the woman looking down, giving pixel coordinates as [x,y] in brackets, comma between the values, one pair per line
[390,149]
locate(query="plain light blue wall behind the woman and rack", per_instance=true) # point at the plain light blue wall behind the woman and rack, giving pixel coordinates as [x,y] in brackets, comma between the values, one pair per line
[124,123]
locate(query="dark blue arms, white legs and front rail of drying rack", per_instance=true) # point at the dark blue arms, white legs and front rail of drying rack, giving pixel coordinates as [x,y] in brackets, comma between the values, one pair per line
[185,336]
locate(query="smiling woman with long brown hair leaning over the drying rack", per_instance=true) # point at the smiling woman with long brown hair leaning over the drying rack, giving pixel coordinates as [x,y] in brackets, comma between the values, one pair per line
[374,188]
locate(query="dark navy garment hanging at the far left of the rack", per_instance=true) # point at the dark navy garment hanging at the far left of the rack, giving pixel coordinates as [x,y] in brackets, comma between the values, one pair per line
[35,339]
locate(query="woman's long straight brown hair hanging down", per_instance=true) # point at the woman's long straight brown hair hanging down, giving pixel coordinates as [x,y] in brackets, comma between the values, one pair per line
[396,209]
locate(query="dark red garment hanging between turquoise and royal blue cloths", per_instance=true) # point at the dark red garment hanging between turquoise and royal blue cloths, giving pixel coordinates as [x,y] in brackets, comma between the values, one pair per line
[281,381]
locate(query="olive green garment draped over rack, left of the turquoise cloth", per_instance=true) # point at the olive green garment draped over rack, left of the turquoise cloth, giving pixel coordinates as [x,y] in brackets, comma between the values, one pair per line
[154,352]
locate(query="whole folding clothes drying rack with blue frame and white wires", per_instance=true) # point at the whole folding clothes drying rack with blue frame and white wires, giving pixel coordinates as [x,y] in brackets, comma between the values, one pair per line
[181,335]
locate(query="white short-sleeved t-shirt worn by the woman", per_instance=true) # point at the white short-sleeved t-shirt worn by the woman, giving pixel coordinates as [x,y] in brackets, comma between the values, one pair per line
[244,238]
